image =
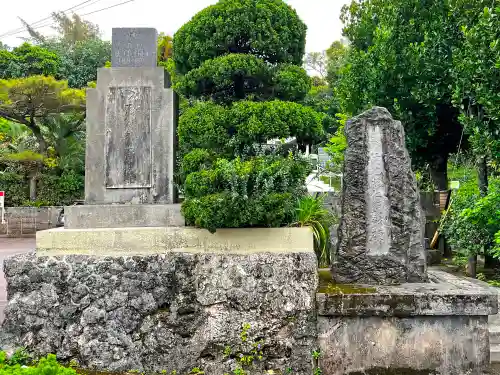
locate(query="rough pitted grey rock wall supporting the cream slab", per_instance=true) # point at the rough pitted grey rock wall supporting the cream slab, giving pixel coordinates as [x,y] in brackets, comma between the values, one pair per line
[167,312]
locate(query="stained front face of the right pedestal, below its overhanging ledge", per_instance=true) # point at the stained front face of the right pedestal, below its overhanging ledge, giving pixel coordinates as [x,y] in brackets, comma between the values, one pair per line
[437,345]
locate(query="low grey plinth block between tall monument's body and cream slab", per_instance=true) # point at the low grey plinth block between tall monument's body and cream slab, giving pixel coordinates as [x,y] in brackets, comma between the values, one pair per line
[123,215]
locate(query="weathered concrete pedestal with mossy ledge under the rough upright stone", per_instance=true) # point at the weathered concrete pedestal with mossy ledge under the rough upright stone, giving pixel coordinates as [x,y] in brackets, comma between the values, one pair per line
[440,327]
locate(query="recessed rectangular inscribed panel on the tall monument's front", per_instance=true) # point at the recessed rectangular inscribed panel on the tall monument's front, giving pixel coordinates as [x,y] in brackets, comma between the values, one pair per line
[128,138]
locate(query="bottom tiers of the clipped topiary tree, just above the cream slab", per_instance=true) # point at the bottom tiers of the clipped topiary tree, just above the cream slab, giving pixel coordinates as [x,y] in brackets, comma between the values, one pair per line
[259,192]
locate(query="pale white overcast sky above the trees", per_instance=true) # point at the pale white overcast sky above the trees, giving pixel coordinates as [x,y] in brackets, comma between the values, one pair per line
[320,16]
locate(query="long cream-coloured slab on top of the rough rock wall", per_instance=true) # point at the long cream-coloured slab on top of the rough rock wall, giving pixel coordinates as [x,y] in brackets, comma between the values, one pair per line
[136,241]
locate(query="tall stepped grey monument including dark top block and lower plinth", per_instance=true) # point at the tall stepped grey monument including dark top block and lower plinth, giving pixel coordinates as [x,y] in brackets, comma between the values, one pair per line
[131,128]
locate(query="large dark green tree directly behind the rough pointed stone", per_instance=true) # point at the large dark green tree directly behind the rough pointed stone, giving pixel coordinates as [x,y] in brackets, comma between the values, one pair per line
[400,57]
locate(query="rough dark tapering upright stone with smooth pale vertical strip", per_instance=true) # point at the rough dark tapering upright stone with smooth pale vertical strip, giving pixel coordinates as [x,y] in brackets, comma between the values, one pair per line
[381,229]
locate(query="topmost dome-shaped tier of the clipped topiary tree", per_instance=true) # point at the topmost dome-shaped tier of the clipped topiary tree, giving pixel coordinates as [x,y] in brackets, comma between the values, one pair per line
[269,29]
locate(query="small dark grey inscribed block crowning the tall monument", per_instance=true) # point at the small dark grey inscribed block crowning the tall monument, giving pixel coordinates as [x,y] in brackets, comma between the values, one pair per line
[134,47]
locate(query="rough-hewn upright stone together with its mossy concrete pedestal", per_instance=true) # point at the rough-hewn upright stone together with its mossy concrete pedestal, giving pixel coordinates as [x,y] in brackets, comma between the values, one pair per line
[381,311]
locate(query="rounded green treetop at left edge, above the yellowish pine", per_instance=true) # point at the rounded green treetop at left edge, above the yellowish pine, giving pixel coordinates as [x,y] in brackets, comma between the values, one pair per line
[27,60]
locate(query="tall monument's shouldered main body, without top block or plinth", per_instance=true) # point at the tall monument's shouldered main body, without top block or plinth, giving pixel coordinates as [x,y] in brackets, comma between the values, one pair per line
[131,127]
